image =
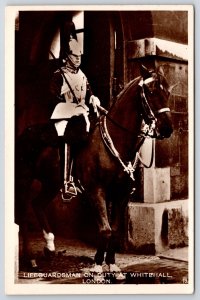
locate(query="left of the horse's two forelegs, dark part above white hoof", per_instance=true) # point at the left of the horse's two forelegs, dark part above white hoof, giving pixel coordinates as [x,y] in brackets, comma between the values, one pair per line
[99,204]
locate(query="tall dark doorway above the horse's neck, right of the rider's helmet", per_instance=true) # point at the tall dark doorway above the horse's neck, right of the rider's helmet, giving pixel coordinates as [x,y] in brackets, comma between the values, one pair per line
[103,54]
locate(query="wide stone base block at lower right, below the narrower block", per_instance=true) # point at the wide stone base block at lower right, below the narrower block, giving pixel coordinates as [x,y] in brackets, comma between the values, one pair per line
[154,228]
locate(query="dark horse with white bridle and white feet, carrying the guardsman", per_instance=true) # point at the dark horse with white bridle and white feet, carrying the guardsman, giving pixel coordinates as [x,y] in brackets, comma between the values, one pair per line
[104,166]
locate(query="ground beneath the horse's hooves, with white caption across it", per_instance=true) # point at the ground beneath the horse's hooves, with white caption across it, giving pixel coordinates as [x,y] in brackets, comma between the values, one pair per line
[73,260]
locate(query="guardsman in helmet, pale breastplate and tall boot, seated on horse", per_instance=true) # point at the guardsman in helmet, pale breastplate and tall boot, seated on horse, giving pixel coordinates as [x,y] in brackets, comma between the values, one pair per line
[70,85]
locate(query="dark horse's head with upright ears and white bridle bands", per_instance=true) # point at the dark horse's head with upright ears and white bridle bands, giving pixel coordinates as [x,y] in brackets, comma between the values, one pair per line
[155,94]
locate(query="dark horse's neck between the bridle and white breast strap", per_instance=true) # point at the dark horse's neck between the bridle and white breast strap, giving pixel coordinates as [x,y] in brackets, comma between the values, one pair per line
[126,113]
